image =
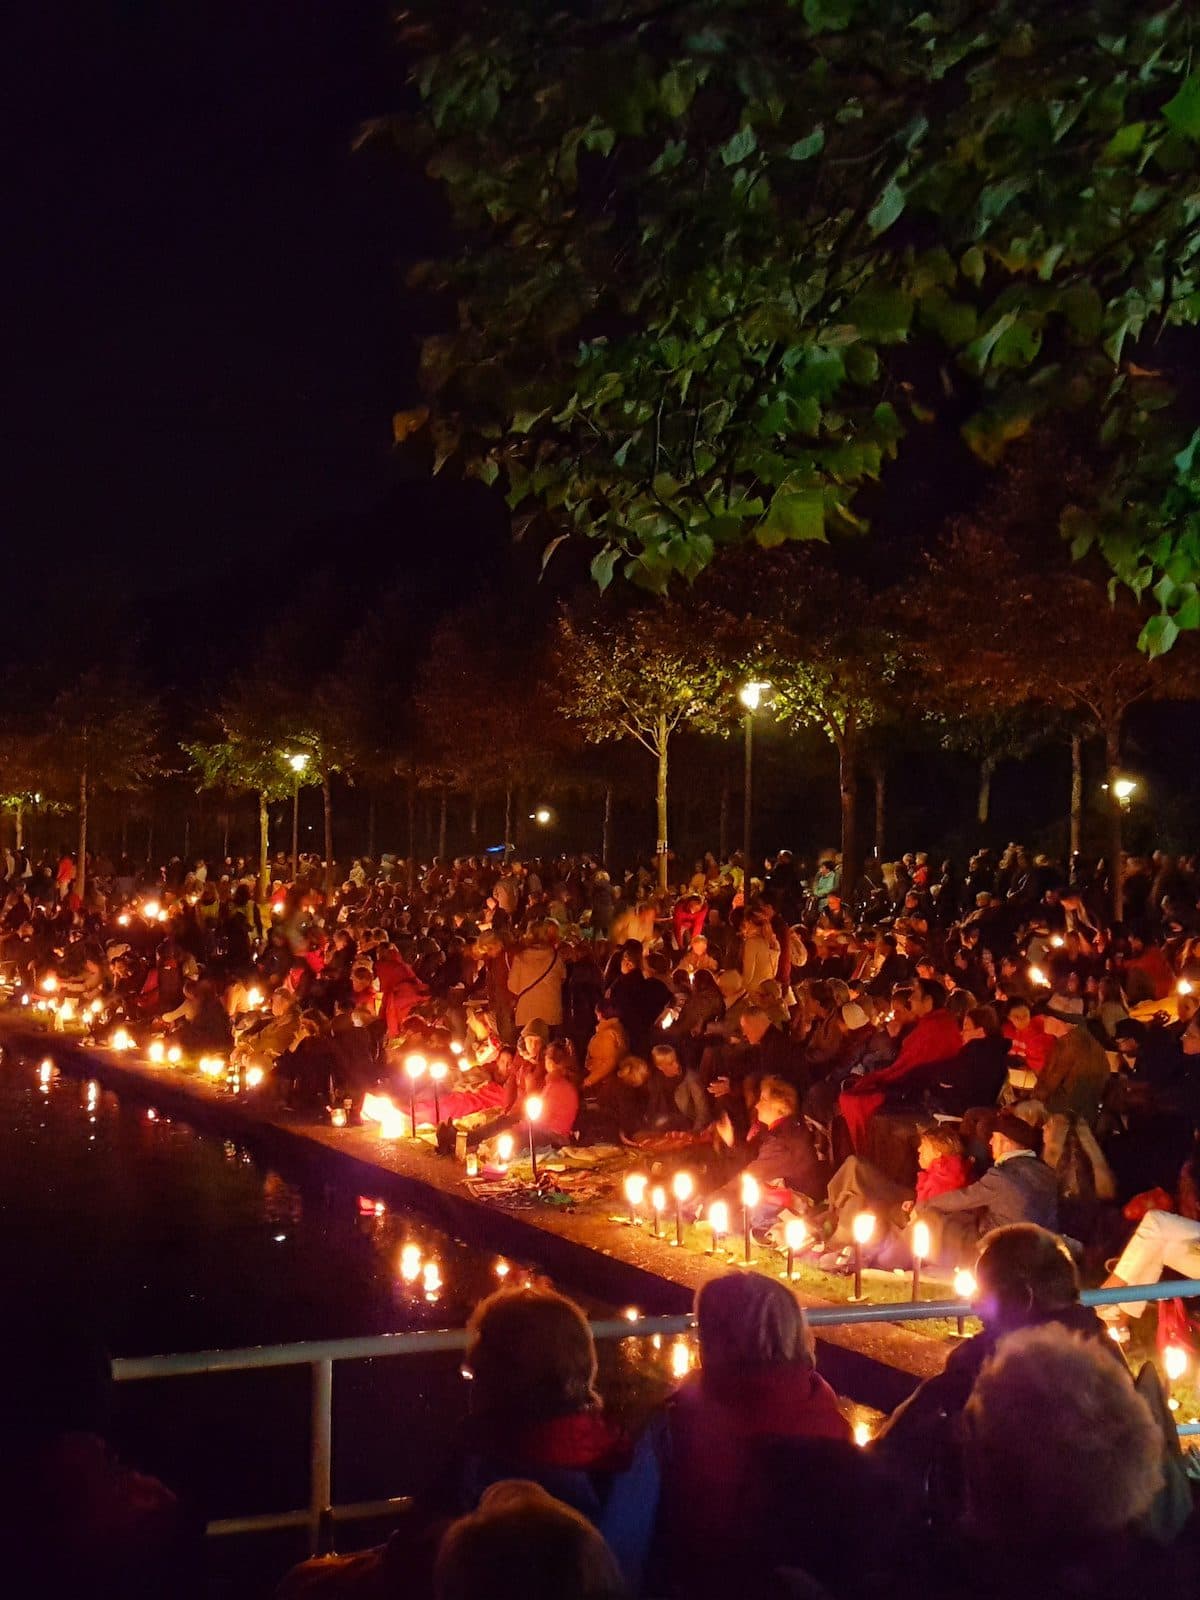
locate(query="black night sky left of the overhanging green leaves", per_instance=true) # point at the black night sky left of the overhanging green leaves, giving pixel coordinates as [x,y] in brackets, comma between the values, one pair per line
[206,327]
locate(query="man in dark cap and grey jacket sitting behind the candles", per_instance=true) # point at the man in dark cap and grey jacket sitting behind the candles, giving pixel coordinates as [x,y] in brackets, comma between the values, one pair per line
[1018,1188]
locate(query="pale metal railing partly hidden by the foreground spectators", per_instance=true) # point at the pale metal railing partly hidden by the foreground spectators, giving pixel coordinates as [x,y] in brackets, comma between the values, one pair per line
[322,1354]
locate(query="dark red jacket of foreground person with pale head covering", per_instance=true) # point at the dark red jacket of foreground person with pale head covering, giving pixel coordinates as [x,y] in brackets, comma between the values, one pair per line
[714,1426]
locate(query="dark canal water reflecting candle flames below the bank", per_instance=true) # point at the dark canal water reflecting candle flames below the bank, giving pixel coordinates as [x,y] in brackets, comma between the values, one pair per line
[162,1239]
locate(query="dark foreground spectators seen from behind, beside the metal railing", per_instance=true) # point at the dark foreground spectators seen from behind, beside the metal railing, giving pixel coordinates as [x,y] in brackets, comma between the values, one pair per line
[1034,1465]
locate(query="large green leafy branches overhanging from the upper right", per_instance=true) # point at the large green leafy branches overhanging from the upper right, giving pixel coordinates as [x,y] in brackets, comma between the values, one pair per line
[724,255]
